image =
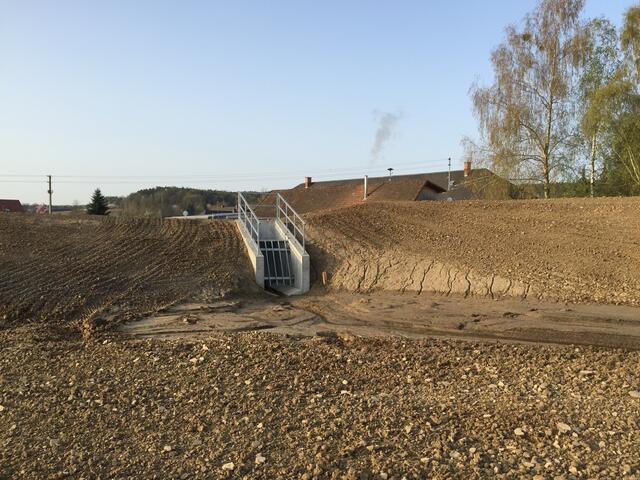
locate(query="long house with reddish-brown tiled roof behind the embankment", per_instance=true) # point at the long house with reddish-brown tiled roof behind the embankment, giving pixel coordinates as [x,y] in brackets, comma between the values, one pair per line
[465,184]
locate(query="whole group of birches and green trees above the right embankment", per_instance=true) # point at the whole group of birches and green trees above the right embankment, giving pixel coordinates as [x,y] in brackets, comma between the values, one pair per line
[563,112]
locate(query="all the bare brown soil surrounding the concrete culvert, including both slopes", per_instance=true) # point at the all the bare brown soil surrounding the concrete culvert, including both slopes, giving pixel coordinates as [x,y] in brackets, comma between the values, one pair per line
[133,349]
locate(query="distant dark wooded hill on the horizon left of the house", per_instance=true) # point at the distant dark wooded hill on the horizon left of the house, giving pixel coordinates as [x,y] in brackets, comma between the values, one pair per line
[172,201]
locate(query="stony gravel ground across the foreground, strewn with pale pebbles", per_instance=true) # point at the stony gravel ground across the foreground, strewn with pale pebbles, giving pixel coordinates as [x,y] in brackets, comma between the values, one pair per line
[257,405]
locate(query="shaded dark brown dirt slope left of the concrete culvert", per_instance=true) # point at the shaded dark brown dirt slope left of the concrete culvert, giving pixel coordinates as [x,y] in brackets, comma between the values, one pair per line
[57,268]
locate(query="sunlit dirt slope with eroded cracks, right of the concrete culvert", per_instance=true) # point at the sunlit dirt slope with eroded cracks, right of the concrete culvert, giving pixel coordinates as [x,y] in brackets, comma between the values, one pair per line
[579,250]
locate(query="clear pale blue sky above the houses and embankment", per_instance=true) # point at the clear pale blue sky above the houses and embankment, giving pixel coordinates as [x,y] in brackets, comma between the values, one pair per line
[238,95]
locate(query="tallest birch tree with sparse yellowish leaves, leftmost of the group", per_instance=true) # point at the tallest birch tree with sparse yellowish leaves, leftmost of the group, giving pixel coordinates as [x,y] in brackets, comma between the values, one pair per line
[527,117]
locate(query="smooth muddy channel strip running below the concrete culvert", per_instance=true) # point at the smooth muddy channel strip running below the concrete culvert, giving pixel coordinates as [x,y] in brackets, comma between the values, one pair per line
[406,315]
